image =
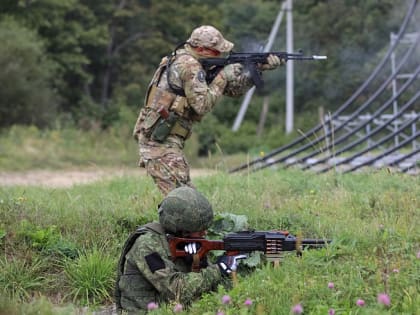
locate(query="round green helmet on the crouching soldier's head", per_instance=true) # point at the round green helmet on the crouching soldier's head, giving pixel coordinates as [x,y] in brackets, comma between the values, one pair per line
[184,209]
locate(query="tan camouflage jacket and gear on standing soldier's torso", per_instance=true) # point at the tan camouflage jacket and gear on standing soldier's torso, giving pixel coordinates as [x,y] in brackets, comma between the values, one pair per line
[187,77]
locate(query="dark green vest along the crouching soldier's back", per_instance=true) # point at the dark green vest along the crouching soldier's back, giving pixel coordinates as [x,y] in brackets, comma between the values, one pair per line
[155,227]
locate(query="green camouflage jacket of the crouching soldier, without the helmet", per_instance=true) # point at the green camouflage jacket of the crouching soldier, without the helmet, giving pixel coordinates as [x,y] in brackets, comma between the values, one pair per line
[150,274]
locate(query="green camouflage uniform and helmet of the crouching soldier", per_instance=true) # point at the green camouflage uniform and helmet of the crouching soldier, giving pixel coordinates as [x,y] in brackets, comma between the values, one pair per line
[147,273]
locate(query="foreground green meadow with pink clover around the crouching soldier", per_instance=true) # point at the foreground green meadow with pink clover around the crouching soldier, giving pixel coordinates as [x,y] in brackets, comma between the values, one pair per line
[371,267]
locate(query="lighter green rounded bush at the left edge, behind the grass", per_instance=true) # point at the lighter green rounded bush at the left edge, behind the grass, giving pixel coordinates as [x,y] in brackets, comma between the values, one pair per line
[26,95]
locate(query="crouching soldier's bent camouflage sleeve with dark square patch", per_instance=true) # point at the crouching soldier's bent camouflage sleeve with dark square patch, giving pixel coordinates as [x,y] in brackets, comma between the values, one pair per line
[153,262]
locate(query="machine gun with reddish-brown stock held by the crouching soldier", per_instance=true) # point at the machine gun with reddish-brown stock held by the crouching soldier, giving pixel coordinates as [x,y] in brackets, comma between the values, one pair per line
[271,243]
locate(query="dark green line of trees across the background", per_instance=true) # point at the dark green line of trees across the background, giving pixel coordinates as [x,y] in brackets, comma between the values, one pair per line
[81,61]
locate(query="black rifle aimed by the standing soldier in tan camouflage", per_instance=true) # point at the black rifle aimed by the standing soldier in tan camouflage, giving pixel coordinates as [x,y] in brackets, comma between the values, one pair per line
[212,66]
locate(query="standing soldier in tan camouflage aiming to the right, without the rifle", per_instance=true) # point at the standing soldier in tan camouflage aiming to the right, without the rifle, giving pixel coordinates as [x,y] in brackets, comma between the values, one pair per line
[178,96]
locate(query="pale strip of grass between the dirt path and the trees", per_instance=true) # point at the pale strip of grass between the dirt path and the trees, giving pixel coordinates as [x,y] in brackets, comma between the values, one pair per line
[28,148]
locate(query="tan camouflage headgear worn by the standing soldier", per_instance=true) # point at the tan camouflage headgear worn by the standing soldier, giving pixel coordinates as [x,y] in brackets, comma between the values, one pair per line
[209,37]
